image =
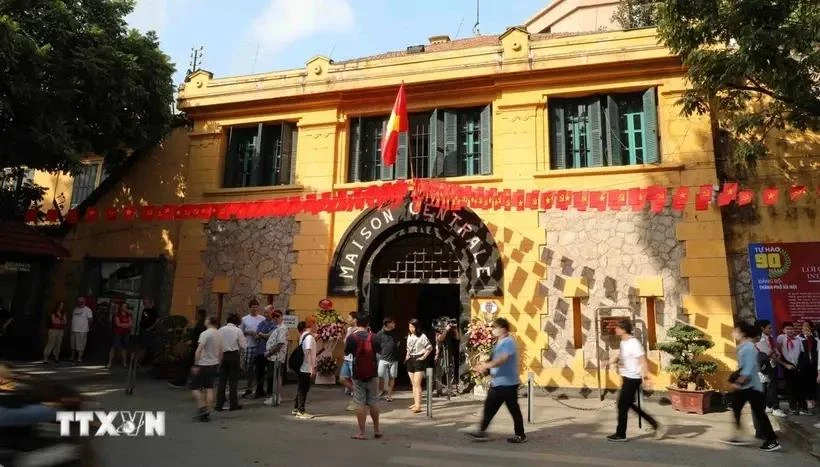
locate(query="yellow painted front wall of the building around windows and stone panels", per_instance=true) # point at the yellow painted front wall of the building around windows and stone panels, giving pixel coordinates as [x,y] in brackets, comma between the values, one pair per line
[517,75]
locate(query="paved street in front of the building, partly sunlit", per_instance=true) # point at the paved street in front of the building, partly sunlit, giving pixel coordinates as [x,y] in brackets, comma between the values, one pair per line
[265,436]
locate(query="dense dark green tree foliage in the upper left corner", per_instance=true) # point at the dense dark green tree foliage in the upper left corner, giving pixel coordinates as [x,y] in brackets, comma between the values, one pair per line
[76,81]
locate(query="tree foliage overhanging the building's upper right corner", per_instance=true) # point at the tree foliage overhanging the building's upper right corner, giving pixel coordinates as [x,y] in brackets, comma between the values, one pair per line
[753,64]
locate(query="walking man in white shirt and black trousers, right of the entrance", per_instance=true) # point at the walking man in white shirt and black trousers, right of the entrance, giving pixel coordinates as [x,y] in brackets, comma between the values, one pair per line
[633,371]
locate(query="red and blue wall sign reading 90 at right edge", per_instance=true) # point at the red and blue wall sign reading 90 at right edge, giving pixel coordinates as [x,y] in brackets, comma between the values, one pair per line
[786,281]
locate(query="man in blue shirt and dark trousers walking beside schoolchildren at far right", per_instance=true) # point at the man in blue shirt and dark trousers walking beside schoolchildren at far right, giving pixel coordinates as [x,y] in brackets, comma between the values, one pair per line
[748,388]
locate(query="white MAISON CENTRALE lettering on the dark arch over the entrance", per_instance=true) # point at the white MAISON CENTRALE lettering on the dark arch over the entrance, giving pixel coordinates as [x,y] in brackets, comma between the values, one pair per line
[452,223]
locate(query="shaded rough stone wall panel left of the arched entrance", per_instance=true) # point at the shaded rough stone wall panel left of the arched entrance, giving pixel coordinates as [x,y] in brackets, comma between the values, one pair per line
[248,251]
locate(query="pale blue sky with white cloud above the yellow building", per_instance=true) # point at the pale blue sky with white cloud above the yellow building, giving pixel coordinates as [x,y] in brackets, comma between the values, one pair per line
[256,36]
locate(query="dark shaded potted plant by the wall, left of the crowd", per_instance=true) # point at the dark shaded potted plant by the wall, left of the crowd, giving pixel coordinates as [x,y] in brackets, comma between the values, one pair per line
[171,347]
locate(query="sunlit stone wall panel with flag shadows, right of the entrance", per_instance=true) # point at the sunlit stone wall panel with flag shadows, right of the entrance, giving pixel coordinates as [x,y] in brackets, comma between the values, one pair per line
[610,250]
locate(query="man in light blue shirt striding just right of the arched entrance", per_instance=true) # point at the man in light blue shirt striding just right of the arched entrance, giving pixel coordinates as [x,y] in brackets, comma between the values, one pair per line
[503,367]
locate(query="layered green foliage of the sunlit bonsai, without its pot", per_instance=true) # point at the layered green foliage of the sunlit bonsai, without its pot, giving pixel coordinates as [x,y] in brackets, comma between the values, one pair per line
[686,346]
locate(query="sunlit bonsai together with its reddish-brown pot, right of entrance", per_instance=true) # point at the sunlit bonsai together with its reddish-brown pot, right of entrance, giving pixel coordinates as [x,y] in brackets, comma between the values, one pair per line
[690,392]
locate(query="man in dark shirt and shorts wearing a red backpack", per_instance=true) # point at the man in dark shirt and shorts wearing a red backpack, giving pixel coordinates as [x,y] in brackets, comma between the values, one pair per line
[364,347]
